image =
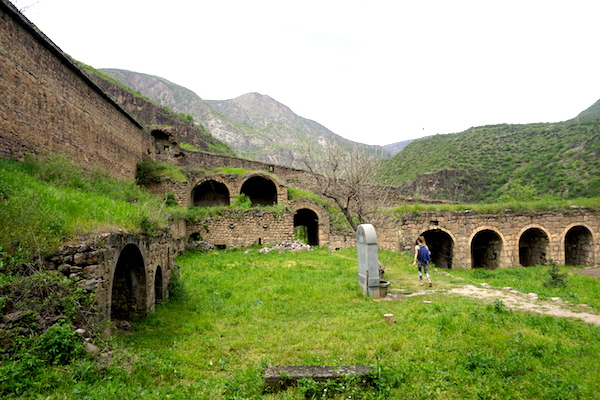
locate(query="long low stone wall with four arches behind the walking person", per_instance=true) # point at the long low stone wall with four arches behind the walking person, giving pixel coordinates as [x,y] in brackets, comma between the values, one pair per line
[470,240]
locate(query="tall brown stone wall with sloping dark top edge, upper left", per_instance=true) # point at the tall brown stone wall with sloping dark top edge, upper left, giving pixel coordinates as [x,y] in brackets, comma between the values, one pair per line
[51,106]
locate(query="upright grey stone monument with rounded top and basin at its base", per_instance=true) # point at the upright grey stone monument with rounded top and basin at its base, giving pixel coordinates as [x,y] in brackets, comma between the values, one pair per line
[368,263]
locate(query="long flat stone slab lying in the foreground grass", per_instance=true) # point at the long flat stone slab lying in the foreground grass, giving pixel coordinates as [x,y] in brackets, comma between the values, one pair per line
[280,377]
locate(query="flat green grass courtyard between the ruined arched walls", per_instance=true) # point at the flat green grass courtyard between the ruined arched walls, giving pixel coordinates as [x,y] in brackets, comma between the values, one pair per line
[236,312]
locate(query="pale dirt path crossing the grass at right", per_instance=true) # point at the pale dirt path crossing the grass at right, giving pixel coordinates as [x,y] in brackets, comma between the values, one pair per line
[513,299]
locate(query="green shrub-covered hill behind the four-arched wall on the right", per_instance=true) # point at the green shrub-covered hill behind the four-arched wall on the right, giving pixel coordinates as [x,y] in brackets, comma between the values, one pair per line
[559,160]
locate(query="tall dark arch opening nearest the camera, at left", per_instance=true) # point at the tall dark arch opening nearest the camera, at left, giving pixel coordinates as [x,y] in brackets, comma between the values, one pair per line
[129,285]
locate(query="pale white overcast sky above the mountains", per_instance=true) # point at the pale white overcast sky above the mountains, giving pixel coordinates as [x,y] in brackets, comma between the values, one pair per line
[376,71]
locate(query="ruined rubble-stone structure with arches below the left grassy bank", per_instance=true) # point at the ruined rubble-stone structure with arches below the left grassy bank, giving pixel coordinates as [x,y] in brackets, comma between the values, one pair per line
[128,273]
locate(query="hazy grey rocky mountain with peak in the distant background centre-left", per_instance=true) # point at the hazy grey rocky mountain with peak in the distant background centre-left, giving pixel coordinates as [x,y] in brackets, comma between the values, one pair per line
[255,126]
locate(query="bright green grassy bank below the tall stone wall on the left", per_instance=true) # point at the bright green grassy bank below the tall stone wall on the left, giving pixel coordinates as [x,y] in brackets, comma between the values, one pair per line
[49,200]
